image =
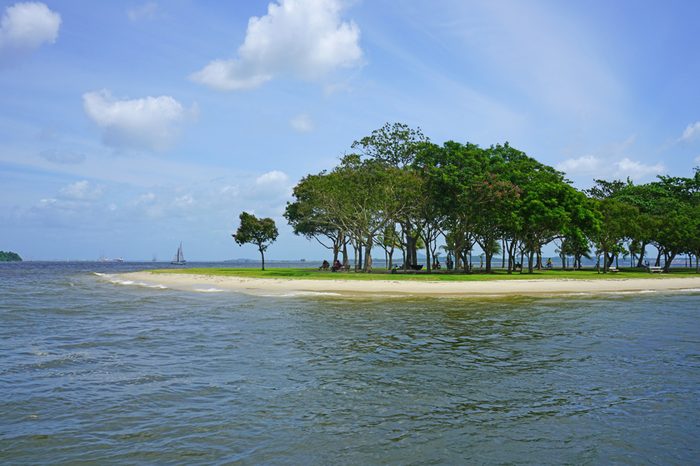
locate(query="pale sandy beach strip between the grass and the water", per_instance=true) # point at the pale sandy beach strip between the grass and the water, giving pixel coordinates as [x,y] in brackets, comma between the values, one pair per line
[265,286]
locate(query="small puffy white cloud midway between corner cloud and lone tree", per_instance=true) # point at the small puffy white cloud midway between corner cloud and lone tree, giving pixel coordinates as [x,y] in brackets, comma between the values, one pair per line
[150,122]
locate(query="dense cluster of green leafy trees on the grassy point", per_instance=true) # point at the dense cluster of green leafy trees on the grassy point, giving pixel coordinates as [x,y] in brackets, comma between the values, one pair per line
[401,192]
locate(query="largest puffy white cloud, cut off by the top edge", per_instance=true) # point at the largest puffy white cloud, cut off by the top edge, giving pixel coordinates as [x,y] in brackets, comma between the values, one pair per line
[302,38]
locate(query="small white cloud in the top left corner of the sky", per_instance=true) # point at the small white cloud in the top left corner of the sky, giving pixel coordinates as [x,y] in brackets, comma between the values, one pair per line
[28,25]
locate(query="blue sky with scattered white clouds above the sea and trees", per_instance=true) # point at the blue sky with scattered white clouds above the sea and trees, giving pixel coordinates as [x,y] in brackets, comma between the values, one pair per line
[127,127]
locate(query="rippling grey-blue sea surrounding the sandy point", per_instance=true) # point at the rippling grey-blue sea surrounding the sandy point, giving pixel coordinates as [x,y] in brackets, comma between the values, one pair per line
[95,370]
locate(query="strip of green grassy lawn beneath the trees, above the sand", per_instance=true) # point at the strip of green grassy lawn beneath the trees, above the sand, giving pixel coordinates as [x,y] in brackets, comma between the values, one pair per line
[315,274]
